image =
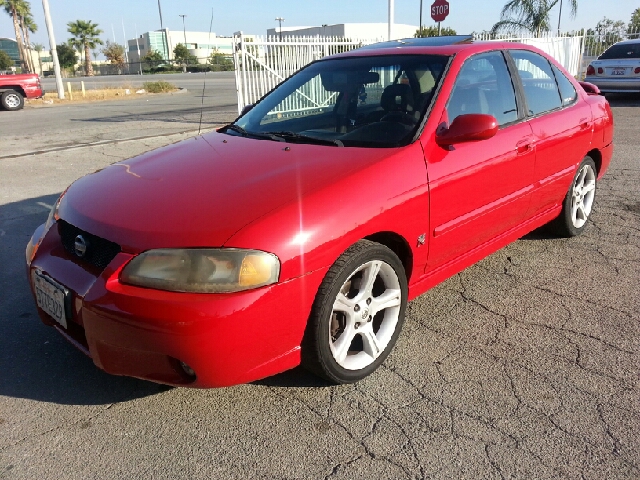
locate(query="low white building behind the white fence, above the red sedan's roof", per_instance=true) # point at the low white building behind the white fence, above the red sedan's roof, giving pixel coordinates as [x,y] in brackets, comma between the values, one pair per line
[367,31]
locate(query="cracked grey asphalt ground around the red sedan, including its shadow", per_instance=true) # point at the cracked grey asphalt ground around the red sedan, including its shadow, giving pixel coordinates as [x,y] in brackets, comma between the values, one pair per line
[524,366]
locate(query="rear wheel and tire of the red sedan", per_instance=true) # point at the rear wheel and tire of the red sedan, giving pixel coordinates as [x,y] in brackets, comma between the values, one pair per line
[578,202]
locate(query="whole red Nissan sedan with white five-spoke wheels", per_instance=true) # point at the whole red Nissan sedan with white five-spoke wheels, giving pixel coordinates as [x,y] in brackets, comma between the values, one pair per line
[297,234]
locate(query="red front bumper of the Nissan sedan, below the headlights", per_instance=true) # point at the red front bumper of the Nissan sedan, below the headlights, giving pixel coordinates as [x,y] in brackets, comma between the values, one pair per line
[226,339]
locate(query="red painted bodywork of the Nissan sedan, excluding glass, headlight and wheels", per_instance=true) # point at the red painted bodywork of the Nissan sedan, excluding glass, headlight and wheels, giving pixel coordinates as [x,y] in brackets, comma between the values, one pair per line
[442,208]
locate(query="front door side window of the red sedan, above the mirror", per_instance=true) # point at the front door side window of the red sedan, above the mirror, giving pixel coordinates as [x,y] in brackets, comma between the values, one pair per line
[484,86]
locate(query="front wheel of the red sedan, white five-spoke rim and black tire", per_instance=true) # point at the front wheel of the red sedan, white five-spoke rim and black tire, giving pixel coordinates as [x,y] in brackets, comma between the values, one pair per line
[353,326]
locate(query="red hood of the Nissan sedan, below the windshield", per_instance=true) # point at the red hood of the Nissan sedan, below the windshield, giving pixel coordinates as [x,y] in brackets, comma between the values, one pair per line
[201,191]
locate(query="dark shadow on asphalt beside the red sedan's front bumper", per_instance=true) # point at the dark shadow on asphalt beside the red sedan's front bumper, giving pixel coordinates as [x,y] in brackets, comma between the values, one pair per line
[35,361]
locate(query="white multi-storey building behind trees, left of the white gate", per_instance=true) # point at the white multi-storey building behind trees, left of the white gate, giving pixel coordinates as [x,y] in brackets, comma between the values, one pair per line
[200,44]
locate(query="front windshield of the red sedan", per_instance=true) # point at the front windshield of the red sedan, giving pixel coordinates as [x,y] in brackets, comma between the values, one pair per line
[376,101]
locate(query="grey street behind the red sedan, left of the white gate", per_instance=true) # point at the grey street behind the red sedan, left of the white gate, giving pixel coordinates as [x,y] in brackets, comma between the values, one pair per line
[41,128]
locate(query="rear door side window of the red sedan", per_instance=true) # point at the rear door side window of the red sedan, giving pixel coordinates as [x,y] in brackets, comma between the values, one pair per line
[540,88]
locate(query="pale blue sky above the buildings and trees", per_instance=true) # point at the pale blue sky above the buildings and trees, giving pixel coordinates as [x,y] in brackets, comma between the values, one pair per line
[256,16]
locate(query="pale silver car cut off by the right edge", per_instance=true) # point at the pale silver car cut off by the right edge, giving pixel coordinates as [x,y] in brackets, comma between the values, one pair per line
[617,70]
